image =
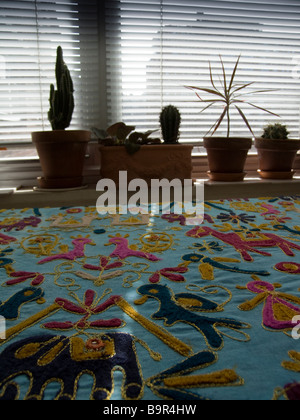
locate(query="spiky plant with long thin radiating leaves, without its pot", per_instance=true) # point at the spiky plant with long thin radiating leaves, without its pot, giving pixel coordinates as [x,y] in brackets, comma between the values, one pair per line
[228,94]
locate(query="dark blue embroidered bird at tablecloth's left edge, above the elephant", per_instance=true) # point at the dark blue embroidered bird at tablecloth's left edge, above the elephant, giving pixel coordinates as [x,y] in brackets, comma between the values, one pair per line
[11,308]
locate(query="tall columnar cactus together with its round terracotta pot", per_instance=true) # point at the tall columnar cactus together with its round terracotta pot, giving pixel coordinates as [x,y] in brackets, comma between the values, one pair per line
[61,152]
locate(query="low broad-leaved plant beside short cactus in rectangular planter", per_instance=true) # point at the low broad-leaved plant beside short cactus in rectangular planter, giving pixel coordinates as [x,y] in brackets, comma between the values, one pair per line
[121,134]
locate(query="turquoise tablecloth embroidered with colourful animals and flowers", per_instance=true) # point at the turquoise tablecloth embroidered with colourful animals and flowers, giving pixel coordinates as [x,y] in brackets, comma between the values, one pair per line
[150,307]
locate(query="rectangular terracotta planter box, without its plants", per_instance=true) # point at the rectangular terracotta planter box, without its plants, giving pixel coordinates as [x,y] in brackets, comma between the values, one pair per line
[150,162]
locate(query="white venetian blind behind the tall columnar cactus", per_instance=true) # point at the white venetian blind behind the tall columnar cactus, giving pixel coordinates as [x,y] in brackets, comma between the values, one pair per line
[30,32]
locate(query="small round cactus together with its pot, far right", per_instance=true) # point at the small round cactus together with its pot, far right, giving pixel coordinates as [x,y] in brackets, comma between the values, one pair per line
[276,152]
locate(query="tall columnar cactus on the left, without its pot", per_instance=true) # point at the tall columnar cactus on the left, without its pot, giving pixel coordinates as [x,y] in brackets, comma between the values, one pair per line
[62,99]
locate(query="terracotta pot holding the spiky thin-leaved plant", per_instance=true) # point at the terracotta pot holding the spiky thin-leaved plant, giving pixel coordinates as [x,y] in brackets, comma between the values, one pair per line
[227,157]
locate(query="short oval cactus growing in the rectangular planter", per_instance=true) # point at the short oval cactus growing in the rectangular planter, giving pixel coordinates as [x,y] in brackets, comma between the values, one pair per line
[170,120]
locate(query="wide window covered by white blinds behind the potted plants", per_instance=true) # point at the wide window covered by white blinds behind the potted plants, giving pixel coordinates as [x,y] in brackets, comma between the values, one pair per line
[129,58]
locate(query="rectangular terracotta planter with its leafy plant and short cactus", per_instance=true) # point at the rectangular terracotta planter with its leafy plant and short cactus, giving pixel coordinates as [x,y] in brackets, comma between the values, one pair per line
[143,157]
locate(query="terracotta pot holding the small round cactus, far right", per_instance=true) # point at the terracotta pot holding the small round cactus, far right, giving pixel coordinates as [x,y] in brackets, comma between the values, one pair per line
[276,157]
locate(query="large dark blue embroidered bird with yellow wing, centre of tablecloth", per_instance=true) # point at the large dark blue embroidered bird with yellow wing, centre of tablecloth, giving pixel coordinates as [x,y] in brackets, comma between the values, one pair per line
[175,308]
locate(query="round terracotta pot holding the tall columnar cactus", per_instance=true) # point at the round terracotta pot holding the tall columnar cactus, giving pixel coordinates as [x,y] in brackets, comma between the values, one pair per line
[62,155]
